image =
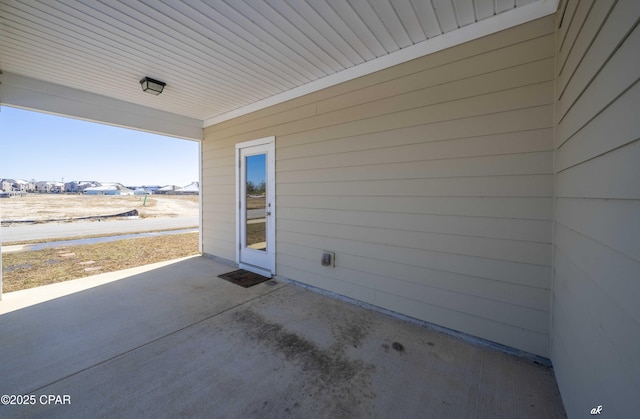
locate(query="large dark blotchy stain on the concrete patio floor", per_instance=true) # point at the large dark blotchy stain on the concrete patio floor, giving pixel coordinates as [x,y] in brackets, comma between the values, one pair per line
[343,384]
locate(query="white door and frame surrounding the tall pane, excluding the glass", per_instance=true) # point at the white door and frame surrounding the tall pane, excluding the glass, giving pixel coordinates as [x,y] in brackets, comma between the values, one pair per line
[267,263]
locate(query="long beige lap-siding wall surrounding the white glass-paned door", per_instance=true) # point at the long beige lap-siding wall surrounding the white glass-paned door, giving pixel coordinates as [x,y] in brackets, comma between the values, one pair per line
[432,181]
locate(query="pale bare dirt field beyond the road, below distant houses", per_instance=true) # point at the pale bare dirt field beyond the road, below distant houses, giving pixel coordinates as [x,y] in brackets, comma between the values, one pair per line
[42,207]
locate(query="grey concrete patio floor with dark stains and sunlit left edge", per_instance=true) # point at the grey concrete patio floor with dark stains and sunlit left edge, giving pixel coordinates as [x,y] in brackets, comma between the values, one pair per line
[174,340]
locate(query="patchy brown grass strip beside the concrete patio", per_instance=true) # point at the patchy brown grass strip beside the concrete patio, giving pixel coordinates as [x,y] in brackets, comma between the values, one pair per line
[42,267]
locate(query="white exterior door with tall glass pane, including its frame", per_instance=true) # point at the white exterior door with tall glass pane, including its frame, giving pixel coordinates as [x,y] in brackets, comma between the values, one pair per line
[256,205]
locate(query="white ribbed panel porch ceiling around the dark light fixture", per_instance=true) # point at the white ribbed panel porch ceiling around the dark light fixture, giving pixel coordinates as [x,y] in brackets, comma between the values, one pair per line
[224,58]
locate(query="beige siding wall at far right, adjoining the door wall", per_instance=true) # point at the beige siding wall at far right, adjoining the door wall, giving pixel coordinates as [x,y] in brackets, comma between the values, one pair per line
[596,314]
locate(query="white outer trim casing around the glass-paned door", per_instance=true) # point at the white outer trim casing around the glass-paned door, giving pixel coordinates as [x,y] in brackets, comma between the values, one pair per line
[270,269]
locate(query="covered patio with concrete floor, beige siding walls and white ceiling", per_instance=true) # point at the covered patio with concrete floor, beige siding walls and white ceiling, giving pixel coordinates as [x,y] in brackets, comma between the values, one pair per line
[471,164]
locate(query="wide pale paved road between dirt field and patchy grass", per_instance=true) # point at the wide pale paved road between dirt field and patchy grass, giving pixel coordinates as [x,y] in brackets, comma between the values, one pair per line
[86,228]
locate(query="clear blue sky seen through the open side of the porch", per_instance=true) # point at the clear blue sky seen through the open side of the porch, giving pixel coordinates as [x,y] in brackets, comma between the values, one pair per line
[46,147]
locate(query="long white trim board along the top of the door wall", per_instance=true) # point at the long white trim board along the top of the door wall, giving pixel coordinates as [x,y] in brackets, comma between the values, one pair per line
[500,22]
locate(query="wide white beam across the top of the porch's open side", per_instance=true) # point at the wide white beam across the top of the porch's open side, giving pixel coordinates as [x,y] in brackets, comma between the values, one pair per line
[28,93]
